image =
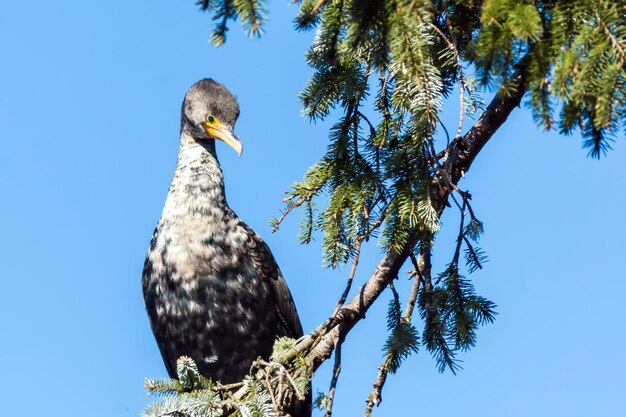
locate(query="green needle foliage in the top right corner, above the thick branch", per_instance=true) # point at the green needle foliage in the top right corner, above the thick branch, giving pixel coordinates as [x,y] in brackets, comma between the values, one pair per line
[577,53]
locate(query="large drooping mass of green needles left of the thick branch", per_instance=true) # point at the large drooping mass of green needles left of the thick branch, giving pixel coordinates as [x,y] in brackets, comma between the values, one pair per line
[375,175]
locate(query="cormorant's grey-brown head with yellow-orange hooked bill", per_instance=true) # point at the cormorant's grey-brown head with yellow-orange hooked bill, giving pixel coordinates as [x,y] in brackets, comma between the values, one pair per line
[210,112]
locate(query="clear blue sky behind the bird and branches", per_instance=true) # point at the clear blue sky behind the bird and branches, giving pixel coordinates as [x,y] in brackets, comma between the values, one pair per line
[90,96]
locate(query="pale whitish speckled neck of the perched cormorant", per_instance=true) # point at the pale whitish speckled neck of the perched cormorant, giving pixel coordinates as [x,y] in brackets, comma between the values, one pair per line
[198,185]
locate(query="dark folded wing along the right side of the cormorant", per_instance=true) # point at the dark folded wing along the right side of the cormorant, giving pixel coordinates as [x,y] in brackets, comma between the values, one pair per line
[265,264]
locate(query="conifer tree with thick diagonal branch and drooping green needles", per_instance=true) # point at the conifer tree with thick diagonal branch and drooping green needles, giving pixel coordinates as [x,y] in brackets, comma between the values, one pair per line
[392,175]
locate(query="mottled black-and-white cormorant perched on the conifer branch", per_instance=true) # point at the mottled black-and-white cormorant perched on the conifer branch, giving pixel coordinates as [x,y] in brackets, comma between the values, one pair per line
[212,288]
